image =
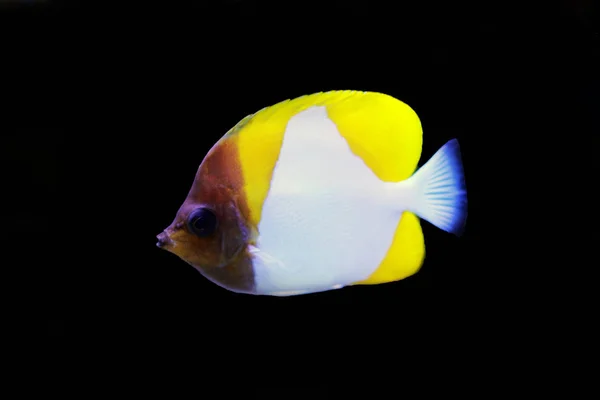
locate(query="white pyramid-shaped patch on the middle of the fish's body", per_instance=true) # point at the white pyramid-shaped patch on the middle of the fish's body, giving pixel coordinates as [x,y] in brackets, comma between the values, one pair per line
[328,220]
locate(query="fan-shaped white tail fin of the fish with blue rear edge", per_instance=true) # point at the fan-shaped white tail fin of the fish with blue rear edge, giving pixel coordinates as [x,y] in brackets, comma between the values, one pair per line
[440,194]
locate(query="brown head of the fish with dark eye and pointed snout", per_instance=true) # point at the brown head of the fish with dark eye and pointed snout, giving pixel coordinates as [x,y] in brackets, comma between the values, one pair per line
[211,231]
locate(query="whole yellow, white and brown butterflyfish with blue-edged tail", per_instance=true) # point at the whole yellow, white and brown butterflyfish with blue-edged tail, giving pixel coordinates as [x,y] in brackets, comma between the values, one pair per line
[318,193]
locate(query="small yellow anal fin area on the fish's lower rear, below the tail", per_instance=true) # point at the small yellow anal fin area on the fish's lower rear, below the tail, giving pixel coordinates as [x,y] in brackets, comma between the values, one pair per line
[405,256]
